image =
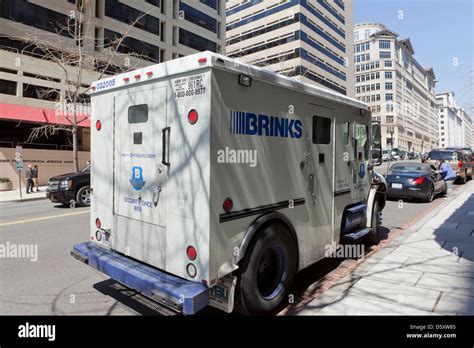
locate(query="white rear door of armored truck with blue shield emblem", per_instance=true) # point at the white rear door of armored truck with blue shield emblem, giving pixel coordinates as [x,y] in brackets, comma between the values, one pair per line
[141,140]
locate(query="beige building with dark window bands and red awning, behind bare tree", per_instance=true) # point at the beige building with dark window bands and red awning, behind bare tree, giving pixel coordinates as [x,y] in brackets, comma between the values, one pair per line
[163,30]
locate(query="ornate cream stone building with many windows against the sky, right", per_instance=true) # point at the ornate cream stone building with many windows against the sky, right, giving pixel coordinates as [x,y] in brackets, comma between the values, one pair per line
[399,91]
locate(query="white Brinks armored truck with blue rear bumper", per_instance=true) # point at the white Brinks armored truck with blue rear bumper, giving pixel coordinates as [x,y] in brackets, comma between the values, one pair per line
[214,182]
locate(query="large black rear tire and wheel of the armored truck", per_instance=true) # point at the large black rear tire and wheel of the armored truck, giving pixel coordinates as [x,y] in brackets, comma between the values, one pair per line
[267,272]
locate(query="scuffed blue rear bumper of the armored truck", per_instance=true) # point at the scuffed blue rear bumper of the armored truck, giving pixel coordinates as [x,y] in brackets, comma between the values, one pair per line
[177,293]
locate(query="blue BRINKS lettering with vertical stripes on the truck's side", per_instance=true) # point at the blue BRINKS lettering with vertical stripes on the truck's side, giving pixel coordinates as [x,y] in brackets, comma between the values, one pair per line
[264,125]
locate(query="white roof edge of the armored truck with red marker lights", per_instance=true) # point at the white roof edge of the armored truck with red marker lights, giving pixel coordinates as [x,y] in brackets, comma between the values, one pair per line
[208,59]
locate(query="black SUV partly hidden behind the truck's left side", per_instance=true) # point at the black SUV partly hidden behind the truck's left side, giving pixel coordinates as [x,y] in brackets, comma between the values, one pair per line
[71,188]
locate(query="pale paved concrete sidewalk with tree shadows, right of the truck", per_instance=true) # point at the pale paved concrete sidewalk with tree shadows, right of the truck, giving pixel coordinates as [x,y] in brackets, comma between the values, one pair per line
[428,270]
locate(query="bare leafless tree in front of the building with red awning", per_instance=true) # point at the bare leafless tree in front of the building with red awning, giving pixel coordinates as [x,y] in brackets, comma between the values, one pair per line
[69,48]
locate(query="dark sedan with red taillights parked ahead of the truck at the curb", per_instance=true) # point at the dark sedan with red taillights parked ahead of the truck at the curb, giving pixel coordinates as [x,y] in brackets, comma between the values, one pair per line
[409,180]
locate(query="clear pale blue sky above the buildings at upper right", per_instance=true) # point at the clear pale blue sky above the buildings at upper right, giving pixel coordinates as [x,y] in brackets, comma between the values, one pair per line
[442,35]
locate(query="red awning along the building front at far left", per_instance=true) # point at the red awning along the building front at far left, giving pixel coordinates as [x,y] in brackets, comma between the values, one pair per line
[39,115]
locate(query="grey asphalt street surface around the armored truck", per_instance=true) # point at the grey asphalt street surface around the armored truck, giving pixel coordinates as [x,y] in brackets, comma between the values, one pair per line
[57,284]
